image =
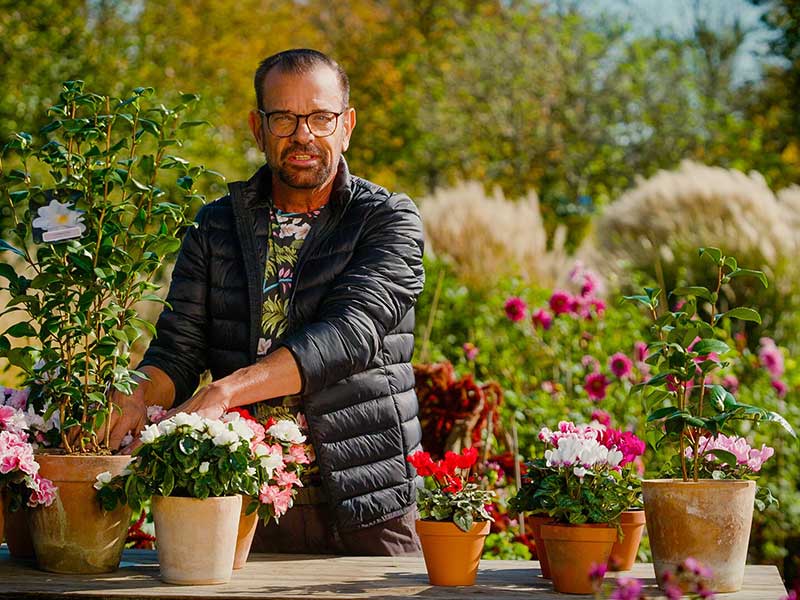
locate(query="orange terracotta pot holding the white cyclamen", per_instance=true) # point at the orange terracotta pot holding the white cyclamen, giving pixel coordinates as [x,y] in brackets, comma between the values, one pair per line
[572,551]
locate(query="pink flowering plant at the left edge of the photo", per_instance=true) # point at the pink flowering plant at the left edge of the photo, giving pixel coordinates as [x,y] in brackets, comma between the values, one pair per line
[19,471]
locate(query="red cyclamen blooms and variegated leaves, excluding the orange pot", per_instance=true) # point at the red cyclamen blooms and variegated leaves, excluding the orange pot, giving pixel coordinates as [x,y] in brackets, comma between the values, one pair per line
[448,494]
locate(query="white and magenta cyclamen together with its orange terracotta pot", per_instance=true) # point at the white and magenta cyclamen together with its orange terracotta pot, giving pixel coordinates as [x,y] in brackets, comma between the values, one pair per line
[581,489]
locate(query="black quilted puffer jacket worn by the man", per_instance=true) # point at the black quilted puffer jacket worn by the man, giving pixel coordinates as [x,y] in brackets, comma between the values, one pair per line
[351,321]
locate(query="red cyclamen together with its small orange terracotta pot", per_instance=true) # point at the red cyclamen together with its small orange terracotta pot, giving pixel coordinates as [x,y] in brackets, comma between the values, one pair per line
[453,521]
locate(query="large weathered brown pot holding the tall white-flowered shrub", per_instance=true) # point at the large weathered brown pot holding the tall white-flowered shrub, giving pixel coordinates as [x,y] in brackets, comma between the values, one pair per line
[74,534]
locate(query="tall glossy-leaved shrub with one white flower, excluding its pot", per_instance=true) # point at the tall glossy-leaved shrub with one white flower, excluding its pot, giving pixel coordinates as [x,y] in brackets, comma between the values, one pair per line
[87,223]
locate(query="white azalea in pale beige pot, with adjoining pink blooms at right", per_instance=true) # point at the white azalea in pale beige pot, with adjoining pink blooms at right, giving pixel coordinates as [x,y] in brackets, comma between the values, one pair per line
[196,471]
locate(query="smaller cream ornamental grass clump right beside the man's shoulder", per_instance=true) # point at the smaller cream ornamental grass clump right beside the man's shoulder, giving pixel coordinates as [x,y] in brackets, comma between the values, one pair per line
[487,238]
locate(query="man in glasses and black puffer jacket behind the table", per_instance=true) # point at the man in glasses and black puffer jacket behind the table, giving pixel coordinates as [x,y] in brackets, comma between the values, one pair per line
[297,291]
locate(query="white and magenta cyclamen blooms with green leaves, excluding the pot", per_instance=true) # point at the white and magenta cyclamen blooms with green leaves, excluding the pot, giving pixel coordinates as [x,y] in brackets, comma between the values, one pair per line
[586,475]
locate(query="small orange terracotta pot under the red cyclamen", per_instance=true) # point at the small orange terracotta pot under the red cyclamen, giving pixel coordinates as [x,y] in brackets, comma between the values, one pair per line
[451,555]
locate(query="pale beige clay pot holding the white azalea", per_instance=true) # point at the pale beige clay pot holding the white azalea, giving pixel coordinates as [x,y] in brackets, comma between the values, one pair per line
[196,539]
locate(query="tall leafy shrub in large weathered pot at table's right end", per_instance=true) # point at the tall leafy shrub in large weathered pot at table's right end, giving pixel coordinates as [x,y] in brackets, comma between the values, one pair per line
[690,413]
